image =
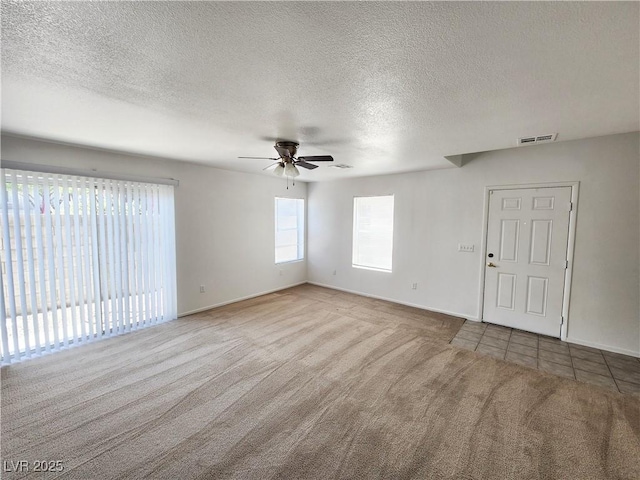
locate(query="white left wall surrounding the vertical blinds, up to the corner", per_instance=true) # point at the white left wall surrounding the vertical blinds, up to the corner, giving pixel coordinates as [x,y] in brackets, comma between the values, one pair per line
[224,220]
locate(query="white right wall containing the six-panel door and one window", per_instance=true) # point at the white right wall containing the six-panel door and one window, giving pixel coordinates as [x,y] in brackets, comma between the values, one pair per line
[436,210]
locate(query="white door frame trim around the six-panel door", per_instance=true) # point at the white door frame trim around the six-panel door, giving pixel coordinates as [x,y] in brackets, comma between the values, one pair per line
[573,214]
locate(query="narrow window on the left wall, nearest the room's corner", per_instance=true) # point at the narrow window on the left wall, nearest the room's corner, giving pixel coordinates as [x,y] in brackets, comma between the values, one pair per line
[289,229]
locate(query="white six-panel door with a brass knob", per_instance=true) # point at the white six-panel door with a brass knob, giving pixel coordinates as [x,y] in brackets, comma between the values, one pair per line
[526,258]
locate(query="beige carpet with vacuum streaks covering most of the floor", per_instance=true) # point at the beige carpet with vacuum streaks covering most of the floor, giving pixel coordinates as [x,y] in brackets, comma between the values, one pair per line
[309,383]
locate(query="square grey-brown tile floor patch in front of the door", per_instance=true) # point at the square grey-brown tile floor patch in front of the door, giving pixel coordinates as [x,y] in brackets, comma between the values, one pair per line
[617,372]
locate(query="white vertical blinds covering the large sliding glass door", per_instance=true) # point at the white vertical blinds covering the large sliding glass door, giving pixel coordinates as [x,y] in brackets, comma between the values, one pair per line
[82,259]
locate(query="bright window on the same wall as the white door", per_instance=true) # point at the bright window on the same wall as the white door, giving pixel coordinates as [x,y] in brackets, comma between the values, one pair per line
[373,232]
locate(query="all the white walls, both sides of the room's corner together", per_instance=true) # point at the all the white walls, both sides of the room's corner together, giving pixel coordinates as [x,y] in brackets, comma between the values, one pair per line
[225,239]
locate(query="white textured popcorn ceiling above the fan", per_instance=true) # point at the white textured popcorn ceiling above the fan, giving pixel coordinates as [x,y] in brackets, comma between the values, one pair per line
[384,87]
